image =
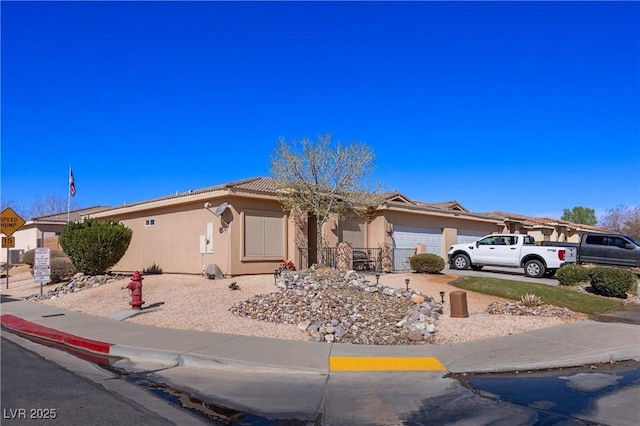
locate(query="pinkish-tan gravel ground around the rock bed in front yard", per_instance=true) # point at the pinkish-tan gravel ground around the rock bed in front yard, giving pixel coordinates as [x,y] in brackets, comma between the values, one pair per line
[191,302]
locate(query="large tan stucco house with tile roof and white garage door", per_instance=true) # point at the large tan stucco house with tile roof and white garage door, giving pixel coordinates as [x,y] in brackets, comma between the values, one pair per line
[245,230]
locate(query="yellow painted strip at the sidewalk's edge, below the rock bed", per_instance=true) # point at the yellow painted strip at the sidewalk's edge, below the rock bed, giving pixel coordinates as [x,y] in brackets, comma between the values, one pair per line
[337,363]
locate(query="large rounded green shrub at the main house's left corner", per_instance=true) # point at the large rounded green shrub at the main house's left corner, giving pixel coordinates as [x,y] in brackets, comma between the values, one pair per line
[95,246]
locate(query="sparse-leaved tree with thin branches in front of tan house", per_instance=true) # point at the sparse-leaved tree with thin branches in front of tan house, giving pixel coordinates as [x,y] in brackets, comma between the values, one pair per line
[325,179]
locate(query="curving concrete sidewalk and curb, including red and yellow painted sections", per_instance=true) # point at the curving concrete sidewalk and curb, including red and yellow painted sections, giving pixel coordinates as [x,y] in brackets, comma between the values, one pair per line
[568,345]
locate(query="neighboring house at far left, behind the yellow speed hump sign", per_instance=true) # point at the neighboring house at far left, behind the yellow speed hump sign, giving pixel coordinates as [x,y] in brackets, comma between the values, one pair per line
[44,231]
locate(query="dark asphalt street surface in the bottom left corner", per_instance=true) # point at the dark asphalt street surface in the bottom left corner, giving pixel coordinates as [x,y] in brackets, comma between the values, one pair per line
[44,386]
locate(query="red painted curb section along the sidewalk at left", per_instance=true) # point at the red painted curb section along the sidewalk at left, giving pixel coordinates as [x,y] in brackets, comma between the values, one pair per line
[27,327]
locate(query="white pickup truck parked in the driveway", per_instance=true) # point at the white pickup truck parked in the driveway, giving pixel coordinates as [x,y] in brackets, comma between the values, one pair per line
[513,251]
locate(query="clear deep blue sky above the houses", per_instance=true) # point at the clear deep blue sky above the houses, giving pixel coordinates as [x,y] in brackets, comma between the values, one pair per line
[522,107]
